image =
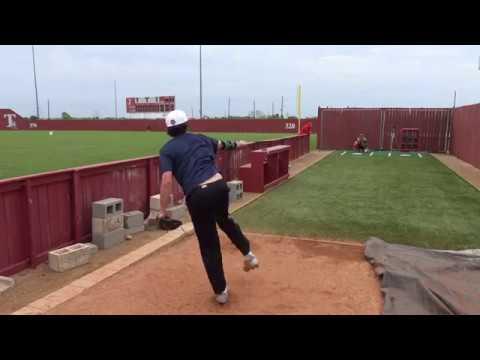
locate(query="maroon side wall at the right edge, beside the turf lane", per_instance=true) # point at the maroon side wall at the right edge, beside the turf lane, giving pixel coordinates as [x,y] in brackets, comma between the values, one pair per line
[466,134]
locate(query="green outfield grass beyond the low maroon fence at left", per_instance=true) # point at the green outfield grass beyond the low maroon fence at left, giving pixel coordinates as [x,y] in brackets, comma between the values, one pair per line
[29,152]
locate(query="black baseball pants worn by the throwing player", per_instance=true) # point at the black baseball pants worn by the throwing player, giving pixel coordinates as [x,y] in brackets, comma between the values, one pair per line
[208,206]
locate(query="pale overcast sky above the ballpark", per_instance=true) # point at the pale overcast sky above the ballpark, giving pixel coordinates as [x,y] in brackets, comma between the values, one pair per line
[79,79]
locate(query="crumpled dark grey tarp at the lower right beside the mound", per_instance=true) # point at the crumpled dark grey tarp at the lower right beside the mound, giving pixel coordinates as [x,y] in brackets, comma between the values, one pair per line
[424,281]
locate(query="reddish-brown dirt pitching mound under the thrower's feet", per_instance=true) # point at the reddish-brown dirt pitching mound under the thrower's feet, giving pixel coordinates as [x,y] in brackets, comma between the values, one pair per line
[295,277]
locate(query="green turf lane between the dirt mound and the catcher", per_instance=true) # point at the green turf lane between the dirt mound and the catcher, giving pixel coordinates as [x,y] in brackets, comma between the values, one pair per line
[406,200]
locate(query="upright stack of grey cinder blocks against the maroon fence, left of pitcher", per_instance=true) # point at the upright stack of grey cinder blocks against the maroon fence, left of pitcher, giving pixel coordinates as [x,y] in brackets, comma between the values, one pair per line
[107,223]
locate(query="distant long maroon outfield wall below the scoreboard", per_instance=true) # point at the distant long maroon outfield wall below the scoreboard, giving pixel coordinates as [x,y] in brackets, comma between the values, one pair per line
[220,125]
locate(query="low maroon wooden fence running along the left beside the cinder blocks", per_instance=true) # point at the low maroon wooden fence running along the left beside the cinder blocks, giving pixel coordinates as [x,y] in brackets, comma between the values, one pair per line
[41,212]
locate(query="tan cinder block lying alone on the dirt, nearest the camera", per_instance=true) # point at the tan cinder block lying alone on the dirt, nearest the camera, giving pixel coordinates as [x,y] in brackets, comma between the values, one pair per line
[70,257]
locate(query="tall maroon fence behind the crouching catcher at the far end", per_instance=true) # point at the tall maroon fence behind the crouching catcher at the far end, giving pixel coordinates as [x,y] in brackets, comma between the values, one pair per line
[338,128]
